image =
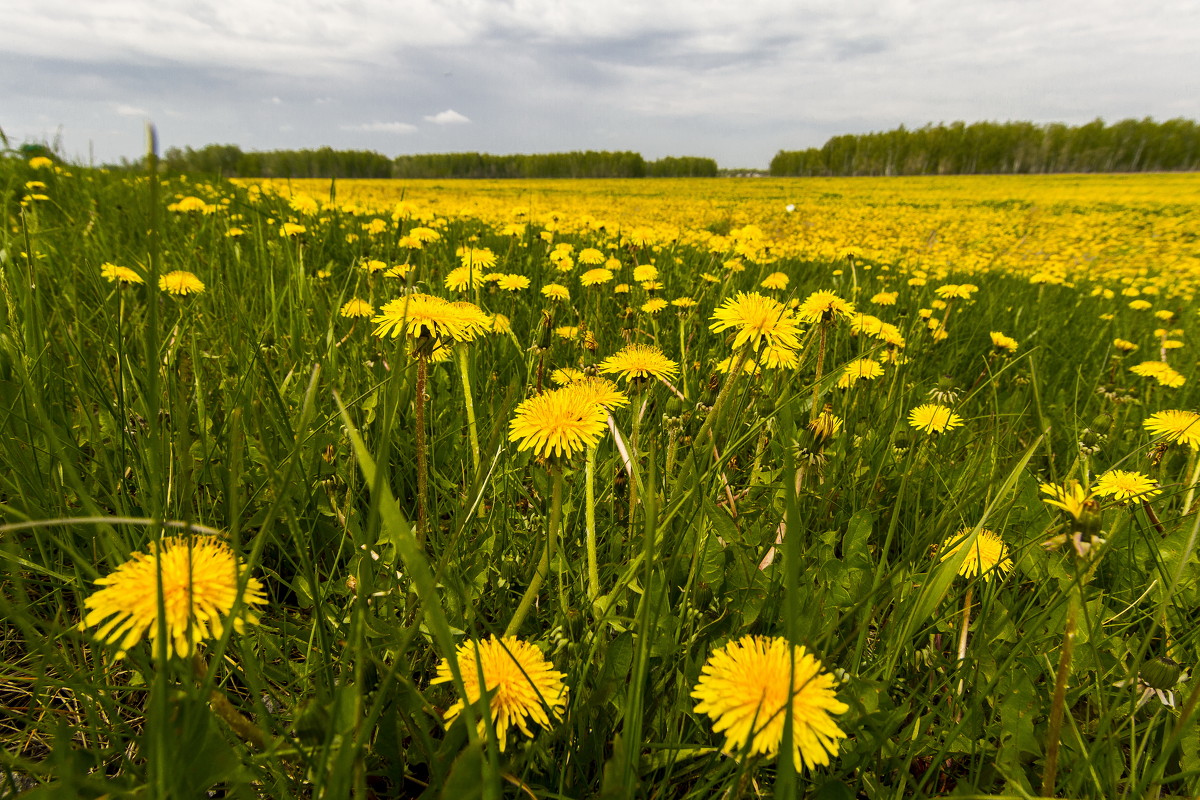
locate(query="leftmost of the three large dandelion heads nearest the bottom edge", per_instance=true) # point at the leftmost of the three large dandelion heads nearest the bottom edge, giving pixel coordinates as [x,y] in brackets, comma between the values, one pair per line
[200,588]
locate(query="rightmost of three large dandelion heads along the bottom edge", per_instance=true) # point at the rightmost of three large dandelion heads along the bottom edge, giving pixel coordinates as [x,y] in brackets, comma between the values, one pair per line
[748,687]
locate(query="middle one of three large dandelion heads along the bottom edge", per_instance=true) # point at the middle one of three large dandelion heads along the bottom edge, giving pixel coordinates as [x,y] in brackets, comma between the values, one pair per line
[524,685]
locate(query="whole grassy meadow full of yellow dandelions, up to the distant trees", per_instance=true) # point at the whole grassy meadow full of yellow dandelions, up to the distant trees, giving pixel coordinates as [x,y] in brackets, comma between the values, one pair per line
[682,489]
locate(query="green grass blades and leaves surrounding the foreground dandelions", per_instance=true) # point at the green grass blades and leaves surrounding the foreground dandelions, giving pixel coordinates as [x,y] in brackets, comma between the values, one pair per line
[256,410]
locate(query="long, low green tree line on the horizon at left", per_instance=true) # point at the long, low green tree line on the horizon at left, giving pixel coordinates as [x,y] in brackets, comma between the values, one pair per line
[231,161]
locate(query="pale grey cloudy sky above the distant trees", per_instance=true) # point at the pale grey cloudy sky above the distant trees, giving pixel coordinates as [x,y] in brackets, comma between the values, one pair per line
[734,81]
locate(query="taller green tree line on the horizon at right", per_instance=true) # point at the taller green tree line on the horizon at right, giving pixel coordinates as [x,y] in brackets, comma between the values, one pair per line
[1003,148]
